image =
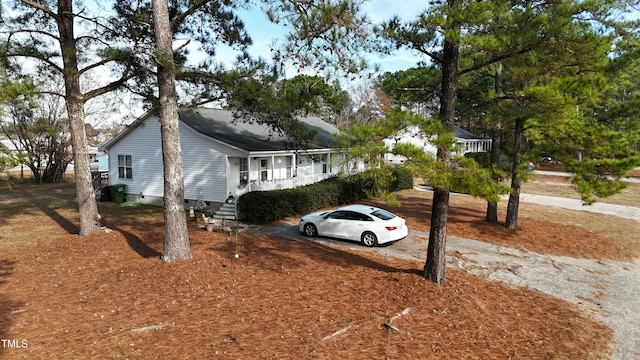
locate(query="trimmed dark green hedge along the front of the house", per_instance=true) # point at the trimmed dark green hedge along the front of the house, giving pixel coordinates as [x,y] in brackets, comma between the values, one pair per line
[266,206]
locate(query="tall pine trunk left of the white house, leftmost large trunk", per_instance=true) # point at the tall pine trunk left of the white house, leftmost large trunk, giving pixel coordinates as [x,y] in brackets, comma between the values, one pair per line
[87,205]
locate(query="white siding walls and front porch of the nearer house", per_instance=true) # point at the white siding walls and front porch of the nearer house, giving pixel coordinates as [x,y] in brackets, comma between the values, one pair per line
[212,167]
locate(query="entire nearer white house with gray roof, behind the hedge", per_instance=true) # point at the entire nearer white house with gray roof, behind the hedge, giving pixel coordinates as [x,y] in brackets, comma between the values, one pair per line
[221,156]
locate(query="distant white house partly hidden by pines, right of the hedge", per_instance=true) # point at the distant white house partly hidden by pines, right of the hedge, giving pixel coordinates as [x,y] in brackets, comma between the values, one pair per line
[466,142]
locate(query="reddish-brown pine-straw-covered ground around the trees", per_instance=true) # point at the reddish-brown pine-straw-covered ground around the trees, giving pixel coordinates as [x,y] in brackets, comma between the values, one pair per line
[108,295]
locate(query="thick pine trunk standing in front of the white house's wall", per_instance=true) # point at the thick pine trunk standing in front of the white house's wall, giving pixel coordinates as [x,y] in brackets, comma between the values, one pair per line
[176,236]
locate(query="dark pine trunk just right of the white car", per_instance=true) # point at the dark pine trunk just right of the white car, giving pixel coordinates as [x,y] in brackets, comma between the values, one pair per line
[435,266]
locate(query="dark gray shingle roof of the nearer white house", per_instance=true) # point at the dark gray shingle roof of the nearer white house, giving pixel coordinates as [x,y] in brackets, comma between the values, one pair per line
[250,136]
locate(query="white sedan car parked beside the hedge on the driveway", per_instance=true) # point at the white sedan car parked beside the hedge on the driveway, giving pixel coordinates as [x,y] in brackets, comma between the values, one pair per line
[367,224]
